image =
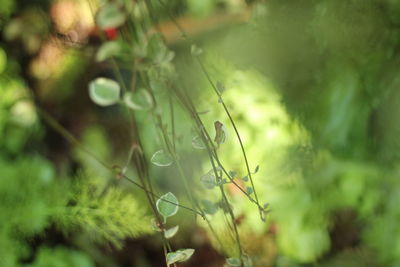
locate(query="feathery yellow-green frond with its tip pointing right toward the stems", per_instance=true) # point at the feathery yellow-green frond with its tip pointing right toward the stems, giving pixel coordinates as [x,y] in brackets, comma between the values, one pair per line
[108,216]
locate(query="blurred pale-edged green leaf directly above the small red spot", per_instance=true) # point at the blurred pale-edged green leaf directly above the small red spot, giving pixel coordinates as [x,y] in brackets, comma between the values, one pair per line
[110,16]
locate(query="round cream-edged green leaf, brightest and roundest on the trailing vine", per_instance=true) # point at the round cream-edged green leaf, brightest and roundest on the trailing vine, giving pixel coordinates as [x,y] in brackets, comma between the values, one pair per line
[104,92]
